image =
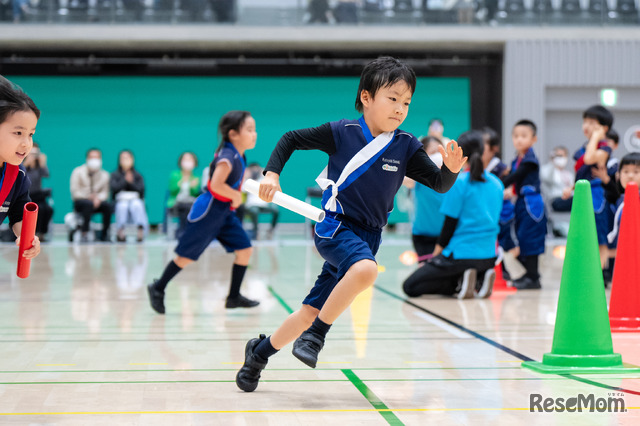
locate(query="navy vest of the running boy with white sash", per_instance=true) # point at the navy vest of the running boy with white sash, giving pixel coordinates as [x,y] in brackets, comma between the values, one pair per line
[367,195]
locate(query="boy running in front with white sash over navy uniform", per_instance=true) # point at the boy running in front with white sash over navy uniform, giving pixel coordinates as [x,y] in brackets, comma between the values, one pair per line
[368,159]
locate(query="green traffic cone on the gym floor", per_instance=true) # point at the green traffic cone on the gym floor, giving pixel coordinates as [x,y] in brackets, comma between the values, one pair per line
[582,336]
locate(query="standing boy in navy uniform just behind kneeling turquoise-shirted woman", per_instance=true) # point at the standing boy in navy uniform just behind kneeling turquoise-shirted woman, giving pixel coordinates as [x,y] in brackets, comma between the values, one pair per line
[530,220]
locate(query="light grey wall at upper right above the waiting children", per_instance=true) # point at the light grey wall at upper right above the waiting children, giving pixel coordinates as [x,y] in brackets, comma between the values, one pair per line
[538,72]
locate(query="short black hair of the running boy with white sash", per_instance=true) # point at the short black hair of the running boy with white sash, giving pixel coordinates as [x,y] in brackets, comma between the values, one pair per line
[384,72]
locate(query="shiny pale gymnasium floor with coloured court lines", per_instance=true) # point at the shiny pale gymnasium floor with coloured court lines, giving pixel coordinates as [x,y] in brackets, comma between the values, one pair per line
[81,346]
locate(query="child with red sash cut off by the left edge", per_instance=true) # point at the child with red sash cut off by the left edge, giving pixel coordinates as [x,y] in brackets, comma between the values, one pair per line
[18,118]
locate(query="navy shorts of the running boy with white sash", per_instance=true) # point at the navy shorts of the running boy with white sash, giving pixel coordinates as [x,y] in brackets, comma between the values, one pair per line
[341,243]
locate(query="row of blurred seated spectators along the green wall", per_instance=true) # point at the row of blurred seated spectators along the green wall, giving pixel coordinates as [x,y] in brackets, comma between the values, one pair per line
[121,194]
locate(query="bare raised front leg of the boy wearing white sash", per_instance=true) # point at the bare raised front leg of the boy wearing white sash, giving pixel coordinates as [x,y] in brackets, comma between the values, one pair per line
[358,278]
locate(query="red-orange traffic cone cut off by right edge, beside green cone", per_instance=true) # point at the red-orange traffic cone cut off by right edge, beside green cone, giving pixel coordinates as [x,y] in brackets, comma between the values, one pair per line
[624,306]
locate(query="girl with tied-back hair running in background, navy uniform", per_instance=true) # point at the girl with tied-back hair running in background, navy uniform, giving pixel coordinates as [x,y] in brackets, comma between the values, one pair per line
[212,214]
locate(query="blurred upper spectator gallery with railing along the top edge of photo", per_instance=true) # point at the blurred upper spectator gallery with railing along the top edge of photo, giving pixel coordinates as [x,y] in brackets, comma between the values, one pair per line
[325,12]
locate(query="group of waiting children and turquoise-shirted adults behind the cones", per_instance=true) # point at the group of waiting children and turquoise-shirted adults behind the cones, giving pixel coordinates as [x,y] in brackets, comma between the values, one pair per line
[534,200]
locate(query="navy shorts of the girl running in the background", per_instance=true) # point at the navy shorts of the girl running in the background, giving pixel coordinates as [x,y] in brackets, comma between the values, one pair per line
[211,219]
